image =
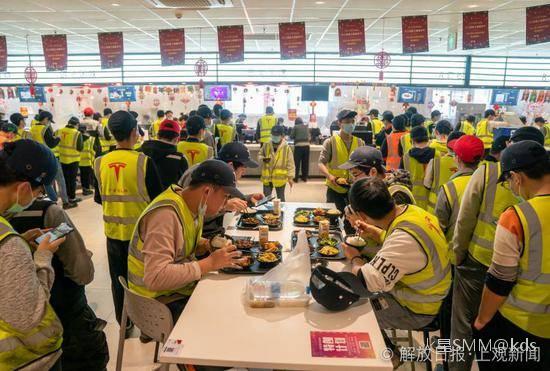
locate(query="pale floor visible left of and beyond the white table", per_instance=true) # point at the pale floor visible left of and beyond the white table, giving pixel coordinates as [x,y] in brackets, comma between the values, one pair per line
[87,217]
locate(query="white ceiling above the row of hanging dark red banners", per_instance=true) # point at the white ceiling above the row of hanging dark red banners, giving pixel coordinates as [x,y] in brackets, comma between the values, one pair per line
[139,20]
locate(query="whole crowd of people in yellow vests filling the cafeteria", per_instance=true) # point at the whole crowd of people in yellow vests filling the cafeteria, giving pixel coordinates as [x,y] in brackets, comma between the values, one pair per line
[456,220]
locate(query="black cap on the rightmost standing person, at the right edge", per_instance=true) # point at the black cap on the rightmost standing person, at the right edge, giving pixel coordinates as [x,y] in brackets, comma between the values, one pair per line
[520,156]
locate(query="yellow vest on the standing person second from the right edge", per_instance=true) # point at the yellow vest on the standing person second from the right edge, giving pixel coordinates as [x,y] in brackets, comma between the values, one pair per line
[496,199]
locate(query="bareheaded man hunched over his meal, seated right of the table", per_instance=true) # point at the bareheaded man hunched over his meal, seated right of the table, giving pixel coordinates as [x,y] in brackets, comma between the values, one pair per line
[411,272]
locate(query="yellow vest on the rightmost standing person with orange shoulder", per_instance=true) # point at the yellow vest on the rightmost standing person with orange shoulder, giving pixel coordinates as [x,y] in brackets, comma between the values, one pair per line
[528,305]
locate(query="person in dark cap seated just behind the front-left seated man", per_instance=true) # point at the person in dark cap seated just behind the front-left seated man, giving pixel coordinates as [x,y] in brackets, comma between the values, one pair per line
[237,155]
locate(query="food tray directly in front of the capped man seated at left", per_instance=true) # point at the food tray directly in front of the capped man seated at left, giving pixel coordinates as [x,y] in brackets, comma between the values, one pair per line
[259,259]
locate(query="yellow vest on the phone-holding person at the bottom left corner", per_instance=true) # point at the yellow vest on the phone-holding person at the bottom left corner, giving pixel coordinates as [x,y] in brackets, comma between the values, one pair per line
[17,348]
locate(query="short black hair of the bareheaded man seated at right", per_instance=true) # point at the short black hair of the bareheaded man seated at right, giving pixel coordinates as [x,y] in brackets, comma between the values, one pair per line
[371,196]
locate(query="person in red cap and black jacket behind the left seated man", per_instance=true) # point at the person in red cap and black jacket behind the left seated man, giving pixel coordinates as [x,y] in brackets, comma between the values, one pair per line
[170,163]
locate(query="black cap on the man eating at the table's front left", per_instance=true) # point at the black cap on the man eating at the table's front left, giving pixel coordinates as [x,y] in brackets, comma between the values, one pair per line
[218,173]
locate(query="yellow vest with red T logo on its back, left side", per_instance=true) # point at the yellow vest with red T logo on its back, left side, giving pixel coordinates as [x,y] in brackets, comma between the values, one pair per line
[121,179]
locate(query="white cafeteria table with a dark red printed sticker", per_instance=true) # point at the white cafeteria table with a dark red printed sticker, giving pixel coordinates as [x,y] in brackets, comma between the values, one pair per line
[218,329]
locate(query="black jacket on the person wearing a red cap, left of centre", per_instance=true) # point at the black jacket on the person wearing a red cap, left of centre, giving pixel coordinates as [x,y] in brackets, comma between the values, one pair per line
[170,163]
